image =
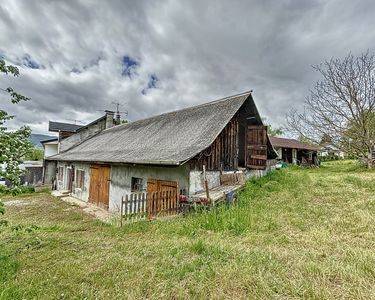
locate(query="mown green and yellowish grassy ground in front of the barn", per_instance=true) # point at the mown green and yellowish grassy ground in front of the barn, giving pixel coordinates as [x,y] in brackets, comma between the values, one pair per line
[296,233]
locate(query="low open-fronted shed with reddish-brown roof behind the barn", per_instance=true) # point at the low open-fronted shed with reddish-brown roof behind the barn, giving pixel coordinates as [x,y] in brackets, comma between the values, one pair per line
[293,151]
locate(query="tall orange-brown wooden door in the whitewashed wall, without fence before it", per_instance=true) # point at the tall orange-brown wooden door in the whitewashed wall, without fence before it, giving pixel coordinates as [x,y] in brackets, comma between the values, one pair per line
[99,185]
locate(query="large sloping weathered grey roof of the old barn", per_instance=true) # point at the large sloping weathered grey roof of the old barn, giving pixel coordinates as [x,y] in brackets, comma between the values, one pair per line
[170,138]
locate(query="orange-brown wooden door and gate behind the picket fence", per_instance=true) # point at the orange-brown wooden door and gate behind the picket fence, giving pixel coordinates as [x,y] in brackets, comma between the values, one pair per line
[162,198]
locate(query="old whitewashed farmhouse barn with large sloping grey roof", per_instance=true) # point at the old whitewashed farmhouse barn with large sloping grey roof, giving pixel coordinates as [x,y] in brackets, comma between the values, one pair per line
[166,152]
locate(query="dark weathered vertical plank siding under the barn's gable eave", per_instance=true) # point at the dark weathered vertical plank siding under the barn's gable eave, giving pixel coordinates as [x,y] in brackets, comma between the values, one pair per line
[223,152]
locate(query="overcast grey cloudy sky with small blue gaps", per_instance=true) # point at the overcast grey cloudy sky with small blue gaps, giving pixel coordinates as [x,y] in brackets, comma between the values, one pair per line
[77,57]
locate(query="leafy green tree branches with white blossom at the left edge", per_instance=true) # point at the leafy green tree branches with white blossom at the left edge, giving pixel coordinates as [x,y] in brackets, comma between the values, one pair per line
[13,144]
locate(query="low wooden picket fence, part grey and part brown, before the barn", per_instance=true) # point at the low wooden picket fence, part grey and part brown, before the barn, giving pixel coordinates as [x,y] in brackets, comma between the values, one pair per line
[138,206]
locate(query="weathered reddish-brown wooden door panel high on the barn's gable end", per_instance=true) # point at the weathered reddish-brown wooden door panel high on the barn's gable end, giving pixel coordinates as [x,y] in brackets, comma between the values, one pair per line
[256,140]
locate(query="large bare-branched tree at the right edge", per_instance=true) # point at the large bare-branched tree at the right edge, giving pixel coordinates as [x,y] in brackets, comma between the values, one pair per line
[341,106]
